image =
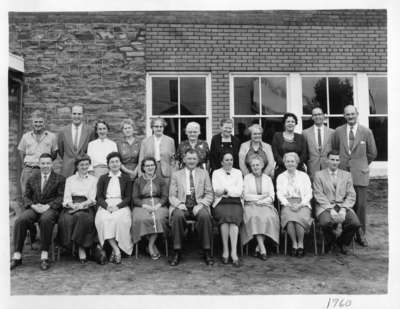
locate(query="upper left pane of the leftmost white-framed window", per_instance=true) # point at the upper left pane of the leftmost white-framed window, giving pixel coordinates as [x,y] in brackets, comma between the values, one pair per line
[165,95]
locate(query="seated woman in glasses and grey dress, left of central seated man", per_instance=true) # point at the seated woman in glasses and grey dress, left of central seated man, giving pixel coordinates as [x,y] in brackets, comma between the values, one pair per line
[150,212]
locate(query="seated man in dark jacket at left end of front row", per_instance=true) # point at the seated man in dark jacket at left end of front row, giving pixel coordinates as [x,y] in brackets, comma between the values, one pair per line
[42,201]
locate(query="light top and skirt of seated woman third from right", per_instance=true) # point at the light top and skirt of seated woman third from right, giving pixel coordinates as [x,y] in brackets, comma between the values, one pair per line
[259,219]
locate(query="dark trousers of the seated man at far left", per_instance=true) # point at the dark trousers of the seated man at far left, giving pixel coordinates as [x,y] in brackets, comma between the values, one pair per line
[27,220]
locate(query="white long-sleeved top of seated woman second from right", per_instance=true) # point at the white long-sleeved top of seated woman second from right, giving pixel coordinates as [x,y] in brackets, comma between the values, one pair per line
[297,186]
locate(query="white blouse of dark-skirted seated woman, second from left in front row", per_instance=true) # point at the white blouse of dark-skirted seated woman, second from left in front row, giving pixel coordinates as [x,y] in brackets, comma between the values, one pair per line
[77,185]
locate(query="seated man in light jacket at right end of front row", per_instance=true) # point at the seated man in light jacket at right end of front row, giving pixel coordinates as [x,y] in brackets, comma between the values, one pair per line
[335,198]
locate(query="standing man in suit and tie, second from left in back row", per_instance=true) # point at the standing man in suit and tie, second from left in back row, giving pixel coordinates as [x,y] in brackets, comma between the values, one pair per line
[73,140]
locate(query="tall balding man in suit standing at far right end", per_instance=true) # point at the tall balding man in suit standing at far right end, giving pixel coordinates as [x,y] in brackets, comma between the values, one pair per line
[357,148]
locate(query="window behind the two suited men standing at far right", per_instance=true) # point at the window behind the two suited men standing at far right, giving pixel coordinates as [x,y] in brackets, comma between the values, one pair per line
[331,93]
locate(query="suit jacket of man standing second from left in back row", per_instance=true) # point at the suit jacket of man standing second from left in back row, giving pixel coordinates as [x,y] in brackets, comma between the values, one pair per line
[66,148]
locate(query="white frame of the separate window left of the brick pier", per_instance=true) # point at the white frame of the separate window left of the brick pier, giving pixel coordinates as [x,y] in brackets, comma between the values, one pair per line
[149,100]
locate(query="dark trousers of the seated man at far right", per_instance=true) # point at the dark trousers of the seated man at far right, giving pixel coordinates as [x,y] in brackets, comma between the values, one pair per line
[349,226]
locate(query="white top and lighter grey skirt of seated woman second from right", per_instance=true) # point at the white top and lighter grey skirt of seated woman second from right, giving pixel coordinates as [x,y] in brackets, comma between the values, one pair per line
[295,188]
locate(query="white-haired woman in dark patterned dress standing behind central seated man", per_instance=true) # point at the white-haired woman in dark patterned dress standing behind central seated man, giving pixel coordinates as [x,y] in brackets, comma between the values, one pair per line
[193,142]
